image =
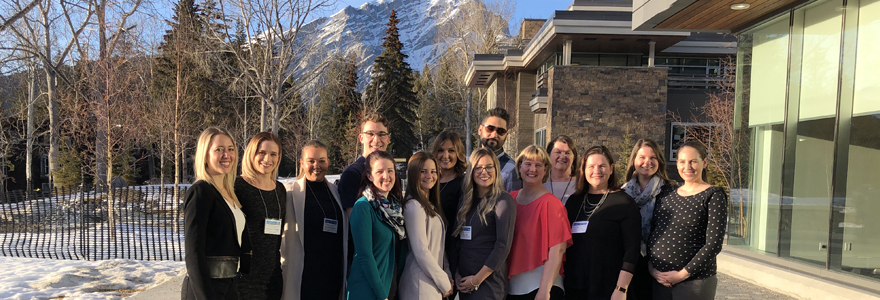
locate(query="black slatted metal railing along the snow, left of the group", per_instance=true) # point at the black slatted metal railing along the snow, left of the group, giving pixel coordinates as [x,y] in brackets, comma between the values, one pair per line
[140,222]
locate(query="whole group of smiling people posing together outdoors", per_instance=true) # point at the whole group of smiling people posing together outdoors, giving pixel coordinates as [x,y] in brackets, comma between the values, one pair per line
[546,225]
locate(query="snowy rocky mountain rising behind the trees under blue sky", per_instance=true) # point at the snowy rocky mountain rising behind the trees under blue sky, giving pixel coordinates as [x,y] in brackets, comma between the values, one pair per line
[358,32]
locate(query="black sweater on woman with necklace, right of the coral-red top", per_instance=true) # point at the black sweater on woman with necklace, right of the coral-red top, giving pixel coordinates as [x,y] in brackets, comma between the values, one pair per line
[610,244]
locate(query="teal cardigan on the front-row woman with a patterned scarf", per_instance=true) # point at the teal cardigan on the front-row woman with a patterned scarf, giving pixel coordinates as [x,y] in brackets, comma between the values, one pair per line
[373,264]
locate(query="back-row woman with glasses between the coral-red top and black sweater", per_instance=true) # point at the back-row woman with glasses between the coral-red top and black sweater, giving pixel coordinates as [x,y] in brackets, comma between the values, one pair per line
[563,171]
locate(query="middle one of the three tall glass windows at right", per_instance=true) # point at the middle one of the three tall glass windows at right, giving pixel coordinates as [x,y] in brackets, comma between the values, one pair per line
[818,27]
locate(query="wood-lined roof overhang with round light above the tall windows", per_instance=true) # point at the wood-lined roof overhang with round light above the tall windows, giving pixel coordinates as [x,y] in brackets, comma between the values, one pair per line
[704,16]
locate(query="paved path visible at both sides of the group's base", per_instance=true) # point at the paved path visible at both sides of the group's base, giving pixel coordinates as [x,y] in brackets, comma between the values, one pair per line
[729,288]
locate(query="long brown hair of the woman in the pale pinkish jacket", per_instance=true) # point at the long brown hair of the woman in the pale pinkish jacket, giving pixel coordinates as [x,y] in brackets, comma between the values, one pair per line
[430,199]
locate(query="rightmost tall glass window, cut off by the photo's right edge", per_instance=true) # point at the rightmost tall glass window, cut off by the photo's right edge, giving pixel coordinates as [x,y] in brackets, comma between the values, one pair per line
[861,241]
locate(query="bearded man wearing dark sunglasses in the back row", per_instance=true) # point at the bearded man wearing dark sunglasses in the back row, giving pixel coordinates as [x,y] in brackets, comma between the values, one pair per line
[493,133]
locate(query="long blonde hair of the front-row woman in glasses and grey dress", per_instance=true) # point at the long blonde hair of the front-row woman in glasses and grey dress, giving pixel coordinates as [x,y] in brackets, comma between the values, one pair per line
[468,190]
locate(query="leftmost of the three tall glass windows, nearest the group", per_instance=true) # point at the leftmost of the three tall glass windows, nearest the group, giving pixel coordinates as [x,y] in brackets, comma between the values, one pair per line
[762,65]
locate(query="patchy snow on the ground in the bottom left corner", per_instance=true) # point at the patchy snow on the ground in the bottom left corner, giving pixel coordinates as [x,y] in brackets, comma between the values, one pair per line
[30,278]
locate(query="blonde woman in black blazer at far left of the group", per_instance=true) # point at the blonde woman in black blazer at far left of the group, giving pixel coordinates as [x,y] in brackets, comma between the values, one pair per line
[213,221]
